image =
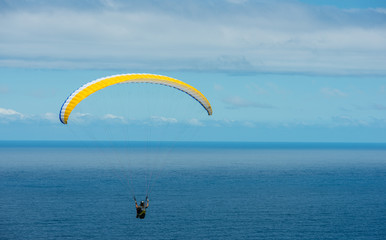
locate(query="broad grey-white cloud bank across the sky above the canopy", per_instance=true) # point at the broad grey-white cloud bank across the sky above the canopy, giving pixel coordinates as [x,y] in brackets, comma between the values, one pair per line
[256,36]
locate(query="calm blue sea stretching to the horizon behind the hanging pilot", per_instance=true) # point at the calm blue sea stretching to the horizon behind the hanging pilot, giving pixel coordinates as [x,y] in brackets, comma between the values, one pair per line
[198,191]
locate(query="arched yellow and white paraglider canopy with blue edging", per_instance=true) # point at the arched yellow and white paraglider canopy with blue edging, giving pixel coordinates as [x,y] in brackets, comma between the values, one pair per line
[89,88]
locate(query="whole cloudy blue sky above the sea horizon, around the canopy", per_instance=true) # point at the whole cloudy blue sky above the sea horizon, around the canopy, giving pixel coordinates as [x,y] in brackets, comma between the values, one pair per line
[273,71]
